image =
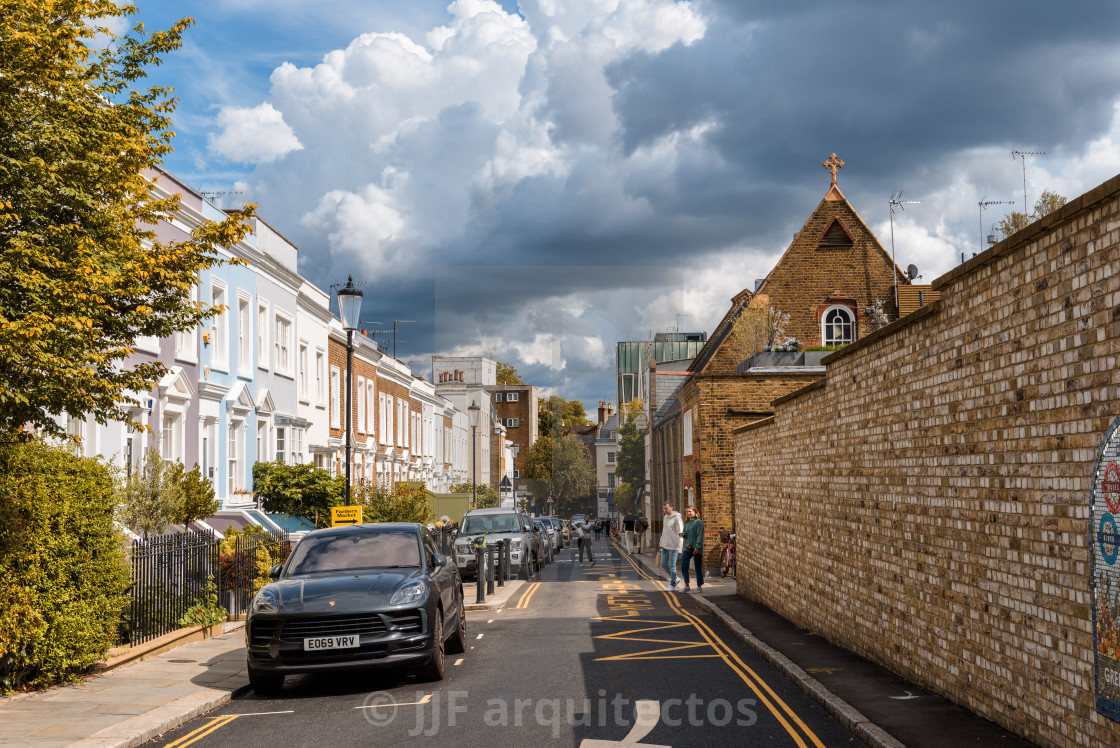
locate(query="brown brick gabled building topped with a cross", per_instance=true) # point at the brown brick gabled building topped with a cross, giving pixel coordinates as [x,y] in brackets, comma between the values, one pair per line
[827,282]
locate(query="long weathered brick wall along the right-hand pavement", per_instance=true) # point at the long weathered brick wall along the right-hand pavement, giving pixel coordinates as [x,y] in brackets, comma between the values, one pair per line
[928,508]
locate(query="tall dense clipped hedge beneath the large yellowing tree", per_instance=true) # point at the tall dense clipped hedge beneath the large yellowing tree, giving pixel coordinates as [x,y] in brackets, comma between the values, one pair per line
[62,562]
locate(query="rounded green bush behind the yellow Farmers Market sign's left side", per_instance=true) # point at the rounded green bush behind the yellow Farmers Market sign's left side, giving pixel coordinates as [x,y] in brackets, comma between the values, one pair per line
[301,490]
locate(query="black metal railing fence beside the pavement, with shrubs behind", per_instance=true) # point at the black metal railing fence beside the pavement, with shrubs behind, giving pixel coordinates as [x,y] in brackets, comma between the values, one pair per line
[171,574]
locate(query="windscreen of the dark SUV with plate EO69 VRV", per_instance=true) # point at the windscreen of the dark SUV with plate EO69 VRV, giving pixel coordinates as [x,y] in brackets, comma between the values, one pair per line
[354,551]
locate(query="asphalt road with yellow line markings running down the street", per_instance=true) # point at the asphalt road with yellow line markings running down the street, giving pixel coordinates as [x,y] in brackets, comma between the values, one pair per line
[584,657]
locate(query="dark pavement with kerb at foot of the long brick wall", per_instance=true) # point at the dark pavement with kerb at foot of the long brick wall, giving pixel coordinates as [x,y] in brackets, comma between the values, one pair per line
[882,708]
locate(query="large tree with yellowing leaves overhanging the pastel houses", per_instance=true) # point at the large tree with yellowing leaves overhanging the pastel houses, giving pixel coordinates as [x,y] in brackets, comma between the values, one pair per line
[82,272]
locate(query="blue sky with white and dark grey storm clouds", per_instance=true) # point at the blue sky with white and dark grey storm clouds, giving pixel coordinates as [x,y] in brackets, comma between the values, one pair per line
[537,181]
